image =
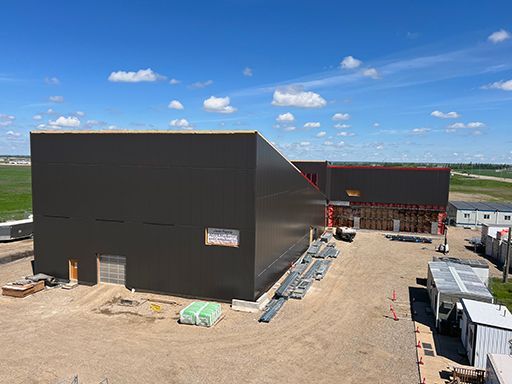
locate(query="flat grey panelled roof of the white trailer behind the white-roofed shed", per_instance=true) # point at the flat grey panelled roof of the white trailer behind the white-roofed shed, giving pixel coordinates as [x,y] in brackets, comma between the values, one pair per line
[455,278]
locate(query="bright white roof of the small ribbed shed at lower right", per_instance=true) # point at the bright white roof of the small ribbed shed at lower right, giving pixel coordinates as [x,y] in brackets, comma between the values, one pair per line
[493,315]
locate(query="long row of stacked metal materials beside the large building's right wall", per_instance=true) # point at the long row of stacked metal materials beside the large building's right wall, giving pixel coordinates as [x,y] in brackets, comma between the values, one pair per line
[303,274]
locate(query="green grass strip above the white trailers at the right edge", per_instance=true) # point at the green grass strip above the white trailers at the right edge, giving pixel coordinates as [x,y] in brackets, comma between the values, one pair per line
[493,190]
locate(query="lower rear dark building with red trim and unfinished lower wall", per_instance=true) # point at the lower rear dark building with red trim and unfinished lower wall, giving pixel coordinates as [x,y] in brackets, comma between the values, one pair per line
[408,199]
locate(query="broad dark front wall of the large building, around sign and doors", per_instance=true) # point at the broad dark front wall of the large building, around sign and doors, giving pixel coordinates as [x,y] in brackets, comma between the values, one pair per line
[148,197]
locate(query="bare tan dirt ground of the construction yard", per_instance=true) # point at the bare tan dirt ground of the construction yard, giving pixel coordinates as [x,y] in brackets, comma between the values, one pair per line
[341,332]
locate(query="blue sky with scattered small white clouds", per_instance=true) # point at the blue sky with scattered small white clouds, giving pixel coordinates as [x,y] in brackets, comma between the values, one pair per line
[360,81]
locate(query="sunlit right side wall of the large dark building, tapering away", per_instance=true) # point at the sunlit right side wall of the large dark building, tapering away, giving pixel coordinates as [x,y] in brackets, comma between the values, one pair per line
[286,206]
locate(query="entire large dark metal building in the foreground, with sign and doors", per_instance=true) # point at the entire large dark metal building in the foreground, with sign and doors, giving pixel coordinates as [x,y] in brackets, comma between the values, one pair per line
[205,214]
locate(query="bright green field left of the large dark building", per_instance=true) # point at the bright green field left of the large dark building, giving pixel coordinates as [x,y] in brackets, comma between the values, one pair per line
[15,192]
